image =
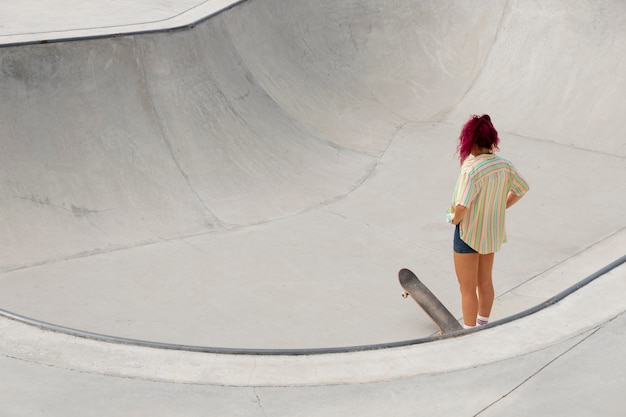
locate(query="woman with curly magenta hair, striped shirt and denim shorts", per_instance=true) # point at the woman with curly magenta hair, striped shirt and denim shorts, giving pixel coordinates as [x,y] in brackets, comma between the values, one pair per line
[487,185]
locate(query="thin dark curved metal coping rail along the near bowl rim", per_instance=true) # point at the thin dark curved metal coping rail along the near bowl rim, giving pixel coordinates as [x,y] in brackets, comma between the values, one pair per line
[303,352]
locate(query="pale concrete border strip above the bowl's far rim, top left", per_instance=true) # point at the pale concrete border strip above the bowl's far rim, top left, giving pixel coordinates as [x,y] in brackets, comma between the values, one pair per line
[184,20]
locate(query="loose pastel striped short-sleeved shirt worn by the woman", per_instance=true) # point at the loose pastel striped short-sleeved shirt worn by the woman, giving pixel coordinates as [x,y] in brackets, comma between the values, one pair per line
[483,185]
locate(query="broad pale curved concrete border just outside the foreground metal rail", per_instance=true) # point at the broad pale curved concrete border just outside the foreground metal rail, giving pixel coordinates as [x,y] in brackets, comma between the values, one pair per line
[595,304]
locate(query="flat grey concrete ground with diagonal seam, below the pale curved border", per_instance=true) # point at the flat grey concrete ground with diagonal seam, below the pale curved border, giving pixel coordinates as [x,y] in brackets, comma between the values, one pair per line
[568,379]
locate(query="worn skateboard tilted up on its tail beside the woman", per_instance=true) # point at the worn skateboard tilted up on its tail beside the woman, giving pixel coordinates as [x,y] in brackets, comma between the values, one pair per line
[427,300]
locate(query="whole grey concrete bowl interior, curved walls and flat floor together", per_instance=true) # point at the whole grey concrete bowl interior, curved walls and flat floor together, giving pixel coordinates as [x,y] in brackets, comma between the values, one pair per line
[257,179]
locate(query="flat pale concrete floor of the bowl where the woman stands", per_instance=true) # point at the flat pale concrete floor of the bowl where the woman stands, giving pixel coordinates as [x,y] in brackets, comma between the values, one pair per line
[331,270]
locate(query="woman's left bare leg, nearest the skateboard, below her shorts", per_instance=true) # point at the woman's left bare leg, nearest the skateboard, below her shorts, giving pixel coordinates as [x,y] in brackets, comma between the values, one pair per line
[466,266]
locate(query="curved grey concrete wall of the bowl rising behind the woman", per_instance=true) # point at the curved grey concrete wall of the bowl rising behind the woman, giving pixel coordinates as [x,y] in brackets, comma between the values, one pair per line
[274,107]
